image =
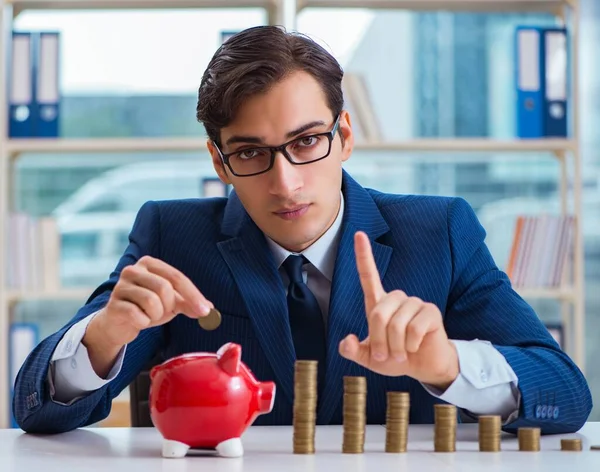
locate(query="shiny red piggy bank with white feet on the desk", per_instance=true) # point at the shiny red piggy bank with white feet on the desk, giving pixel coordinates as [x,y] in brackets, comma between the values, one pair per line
[206,400]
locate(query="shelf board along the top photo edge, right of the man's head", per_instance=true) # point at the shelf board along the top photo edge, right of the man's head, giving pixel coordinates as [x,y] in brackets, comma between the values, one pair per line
[551,6]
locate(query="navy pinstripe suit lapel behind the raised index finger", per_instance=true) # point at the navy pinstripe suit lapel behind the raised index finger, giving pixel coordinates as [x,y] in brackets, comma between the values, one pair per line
[346,308]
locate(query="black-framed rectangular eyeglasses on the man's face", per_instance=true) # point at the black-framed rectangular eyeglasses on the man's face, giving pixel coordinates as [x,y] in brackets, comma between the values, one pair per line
[300,151]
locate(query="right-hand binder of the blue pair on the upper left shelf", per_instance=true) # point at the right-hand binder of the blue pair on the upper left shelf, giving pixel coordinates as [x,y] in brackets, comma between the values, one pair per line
[47,94]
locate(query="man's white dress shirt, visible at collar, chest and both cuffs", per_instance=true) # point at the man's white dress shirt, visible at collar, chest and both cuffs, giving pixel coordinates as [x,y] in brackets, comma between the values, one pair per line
[486,384]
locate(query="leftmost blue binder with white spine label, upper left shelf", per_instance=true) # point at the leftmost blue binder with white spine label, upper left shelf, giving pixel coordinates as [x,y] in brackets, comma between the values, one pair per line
[20,93]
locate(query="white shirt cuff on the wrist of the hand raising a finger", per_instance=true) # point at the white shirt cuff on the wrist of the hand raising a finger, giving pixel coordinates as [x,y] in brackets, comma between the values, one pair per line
[485,385]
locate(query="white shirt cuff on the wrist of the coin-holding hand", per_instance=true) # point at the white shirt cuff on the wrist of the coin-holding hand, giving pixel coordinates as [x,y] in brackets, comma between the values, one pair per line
[71,375]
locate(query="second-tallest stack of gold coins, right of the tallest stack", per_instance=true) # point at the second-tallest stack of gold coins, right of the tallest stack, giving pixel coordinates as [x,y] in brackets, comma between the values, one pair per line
[355,414]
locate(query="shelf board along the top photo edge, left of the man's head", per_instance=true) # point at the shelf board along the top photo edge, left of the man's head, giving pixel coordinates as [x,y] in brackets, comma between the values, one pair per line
[21,5]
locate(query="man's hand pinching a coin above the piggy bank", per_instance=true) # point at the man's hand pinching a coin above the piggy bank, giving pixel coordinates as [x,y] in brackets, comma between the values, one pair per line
[149,293]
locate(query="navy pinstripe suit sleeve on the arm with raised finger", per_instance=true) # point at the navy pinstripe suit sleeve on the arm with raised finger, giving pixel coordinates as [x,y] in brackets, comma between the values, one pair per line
[483,305]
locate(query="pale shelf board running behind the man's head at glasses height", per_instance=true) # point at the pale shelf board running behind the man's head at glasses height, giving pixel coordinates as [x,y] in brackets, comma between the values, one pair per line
[15,147]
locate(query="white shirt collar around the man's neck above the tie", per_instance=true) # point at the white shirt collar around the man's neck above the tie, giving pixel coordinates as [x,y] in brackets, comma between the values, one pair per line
[321,253]
